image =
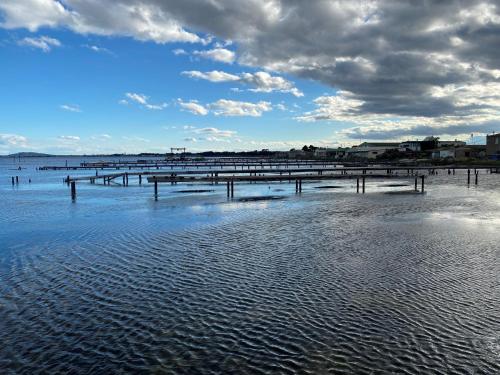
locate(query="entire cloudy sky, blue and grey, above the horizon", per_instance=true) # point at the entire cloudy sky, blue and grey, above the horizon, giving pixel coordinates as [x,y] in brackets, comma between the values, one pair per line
[146,75]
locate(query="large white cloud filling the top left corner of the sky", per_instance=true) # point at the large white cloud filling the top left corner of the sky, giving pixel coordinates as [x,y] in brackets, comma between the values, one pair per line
[142,21]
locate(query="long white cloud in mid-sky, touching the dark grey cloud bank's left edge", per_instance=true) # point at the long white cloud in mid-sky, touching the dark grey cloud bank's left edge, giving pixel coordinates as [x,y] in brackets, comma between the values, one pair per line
[261,81]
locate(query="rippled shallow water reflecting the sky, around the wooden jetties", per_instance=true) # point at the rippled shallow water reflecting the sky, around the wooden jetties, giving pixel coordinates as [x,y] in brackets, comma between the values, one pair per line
[326,282]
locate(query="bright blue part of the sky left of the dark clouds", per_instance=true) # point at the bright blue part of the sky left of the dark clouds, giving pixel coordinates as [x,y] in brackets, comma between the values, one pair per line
[70,98]
